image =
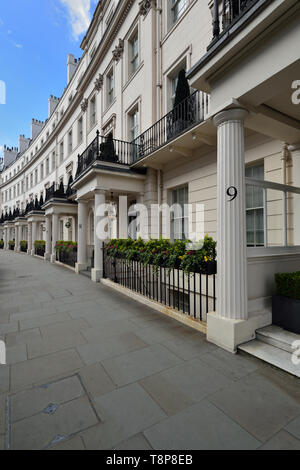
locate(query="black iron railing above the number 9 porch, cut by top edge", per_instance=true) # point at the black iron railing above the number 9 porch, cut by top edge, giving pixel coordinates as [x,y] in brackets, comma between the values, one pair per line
[227,12]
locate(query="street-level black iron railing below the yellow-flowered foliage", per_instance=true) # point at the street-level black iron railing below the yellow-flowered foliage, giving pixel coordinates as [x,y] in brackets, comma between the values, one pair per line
[193,294]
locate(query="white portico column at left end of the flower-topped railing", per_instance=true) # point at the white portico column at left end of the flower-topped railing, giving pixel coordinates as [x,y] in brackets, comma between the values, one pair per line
[99,213]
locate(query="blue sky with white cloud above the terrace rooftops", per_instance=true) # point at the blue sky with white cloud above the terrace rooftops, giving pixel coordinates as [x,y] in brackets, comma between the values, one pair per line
[35,39]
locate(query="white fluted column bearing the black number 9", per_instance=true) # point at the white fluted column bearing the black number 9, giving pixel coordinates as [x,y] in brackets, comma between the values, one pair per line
[232,297]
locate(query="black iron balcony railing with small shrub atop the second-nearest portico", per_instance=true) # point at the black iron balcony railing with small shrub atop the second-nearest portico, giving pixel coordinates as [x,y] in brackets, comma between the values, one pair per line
[106,149]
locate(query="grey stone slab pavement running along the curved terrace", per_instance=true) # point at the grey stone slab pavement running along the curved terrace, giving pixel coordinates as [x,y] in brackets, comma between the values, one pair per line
[90,369]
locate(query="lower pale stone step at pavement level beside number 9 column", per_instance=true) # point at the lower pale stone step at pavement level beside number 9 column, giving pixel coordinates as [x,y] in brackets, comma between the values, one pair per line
[272,355]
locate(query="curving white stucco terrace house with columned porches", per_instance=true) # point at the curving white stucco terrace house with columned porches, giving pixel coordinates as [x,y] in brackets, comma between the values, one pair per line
[242,114]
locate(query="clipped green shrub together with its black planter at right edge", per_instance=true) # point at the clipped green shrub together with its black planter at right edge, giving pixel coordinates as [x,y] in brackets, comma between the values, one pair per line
[286,302]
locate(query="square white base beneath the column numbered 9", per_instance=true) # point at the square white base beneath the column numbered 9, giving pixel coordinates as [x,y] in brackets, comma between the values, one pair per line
[229,334]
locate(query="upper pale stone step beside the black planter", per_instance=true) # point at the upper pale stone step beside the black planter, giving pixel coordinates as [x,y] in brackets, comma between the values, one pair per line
[276,336]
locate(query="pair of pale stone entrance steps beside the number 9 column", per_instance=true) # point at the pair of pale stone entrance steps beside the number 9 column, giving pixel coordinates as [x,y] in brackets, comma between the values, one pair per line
[275,346]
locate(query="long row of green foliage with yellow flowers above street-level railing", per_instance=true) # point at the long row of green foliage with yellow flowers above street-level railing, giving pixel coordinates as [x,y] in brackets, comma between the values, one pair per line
[163,253]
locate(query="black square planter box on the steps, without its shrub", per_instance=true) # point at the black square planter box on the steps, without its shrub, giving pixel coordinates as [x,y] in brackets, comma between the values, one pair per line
[286,313]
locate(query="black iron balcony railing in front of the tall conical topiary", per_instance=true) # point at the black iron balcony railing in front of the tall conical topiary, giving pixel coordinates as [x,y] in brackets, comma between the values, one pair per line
[183,117]
